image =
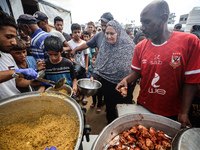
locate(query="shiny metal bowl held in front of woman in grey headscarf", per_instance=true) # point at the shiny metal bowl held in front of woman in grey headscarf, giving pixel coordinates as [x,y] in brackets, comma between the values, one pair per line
[88,88]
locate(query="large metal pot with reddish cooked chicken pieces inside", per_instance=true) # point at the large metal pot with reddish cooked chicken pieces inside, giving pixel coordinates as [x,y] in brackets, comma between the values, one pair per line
[138,132]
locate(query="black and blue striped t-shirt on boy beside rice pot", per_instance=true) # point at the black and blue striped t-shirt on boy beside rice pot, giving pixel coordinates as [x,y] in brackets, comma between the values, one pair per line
[63,69]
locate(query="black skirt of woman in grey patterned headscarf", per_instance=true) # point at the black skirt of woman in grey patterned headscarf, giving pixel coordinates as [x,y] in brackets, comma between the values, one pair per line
[112,98]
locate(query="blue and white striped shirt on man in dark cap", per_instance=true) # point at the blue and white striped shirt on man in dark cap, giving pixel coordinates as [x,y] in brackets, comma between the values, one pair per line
[37,45]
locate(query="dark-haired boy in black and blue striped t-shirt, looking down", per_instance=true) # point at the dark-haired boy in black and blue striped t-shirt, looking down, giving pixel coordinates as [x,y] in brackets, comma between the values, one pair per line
[58,67]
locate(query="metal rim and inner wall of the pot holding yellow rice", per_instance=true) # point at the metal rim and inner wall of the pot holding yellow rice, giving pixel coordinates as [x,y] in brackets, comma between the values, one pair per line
[31,106]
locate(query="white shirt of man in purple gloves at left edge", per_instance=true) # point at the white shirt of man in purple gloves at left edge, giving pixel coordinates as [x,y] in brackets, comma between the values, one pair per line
[7,88]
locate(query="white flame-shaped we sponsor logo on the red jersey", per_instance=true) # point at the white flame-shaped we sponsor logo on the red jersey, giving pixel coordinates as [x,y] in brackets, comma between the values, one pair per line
[154,89]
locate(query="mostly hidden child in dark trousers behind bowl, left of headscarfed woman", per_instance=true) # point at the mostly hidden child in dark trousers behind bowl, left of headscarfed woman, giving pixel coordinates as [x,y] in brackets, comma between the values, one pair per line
[99,94]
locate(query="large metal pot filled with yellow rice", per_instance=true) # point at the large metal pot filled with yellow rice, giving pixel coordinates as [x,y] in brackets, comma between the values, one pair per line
[36,120]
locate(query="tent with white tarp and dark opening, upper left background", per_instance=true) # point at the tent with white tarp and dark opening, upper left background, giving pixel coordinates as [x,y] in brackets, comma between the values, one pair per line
[17,7]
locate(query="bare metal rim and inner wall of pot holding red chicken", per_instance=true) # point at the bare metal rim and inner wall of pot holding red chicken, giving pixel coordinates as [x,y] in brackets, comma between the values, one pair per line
[125,122]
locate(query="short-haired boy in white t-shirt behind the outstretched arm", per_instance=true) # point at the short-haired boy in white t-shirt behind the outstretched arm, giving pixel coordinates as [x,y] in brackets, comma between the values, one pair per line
[81,57]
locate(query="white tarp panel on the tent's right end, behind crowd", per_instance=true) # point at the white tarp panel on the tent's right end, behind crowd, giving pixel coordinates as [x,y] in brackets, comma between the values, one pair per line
[53,12]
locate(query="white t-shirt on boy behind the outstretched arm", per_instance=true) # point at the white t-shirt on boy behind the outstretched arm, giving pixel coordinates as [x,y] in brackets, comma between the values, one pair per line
[79,56]
